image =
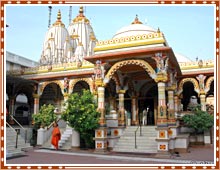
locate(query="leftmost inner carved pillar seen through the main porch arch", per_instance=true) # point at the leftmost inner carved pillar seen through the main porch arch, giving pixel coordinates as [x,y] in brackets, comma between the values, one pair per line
[121,108]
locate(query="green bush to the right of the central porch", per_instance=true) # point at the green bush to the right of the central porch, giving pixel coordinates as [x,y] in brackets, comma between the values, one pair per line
[200,120]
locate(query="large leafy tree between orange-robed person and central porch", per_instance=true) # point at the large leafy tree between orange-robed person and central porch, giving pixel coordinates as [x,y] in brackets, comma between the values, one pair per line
[82,115]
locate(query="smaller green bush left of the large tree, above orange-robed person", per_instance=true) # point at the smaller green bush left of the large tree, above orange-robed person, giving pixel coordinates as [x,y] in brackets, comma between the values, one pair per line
[45,116]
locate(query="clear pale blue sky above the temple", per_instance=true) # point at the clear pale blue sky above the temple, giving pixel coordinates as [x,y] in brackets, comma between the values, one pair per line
[189,29]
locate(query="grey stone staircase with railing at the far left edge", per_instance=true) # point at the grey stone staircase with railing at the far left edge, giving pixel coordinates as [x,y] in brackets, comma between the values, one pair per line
[11,150]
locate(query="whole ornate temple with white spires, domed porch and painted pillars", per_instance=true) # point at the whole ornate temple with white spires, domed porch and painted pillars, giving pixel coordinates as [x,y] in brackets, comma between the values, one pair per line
[134,72]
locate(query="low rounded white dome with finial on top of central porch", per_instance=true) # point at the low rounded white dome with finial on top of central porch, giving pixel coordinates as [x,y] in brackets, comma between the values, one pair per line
[136,28]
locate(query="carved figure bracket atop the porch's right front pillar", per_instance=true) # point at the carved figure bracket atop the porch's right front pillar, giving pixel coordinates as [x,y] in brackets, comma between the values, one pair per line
[161,62]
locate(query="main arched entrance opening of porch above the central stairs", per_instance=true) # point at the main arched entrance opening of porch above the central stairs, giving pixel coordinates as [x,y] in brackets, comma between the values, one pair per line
[134,85]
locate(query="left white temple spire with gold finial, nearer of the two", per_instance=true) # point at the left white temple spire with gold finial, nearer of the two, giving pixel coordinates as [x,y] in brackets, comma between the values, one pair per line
[56,43]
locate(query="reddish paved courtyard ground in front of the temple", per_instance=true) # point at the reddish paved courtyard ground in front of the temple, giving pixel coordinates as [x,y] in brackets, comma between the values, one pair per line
[197,155]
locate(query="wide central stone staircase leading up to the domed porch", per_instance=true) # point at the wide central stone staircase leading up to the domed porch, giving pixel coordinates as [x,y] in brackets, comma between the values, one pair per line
[145,143]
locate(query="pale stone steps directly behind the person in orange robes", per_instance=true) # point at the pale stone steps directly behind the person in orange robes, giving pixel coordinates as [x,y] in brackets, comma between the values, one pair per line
[65,140]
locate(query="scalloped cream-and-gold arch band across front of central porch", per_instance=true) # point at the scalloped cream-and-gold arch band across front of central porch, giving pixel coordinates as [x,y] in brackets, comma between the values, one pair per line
[120,64]
